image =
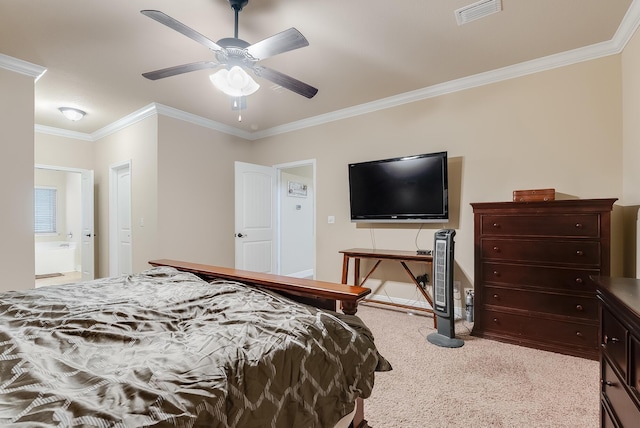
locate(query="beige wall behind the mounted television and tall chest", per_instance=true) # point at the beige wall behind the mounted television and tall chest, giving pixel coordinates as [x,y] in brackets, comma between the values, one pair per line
[559,129]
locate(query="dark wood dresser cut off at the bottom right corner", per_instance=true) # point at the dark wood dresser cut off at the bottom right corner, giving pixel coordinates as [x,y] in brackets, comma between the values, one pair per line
[620,360]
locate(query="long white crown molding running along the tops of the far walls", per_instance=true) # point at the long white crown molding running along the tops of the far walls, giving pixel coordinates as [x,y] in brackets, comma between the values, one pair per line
[625,31]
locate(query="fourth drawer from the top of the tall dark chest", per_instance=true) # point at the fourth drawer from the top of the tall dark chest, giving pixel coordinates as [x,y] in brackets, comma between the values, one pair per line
[585,308]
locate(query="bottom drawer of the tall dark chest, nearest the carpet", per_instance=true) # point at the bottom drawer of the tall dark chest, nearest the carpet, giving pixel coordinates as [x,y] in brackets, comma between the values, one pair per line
[563,333]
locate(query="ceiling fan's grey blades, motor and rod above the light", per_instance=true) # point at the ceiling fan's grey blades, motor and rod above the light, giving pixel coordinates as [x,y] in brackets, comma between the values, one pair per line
[233,52]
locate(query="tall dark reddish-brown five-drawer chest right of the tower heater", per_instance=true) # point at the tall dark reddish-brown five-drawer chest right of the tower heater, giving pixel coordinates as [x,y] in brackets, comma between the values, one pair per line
[533,262]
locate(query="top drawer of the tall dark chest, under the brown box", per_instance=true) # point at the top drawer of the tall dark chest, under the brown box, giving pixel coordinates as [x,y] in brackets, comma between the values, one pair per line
[570,225]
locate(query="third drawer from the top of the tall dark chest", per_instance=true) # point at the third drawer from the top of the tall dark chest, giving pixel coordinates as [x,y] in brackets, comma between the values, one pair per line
[562,279]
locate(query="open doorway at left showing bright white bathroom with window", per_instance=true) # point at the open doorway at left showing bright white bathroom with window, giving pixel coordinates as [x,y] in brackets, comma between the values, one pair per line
[63,228]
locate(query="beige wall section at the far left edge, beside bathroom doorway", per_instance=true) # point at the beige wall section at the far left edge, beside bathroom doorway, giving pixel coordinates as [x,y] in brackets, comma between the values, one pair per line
[16,180]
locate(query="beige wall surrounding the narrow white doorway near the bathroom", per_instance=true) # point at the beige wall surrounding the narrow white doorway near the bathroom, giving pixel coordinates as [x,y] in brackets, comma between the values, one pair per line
[137,143]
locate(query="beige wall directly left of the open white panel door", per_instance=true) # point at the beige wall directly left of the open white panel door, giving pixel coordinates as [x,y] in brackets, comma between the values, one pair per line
[196,192]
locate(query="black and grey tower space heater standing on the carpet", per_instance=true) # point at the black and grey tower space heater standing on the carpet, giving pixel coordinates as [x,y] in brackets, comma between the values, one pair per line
[443,307]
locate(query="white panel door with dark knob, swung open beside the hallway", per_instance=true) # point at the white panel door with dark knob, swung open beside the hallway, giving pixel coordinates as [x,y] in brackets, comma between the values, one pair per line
[255,217]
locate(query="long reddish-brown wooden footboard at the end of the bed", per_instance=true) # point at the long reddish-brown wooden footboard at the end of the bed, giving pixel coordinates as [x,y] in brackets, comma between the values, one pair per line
[320,294]
